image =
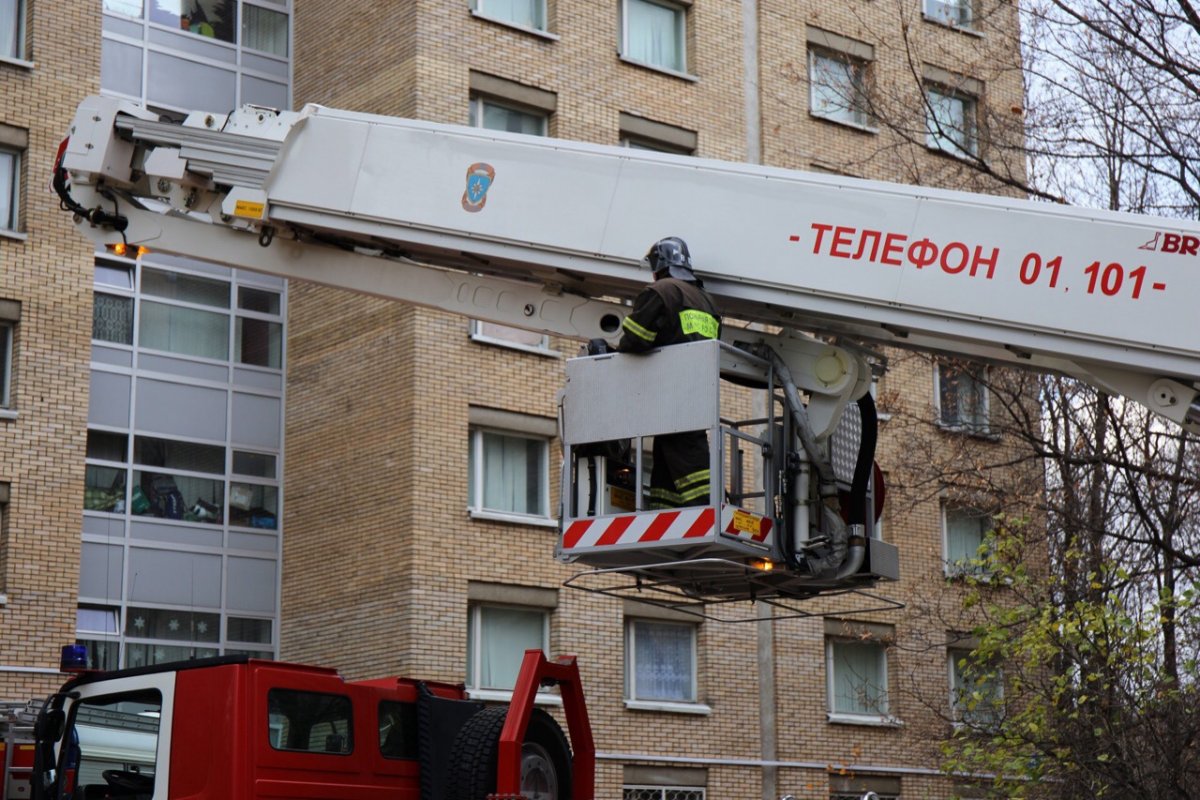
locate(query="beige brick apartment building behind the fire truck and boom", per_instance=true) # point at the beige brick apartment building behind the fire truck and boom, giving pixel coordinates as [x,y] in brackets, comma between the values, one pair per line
[389,554]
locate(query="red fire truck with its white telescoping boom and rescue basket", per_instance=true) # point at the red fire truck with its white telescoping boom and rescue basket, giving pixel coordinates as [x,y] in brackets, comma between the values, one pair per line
[548,236]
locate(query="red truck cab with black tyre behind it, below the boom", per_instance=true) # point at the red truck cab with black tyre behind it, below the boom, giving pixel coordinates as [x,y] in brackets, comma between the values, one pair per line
[237,727]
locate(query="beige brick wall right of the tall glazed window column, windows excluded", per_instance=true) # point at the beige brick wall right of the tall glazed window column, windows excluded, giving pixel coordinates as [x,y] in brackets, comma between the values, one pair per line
[380,546]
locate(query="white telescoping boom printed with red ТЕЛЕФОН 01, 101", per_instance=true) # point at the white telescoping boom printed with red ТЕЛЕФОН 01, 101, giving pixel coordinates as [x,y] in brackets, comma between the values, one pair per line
[548,236]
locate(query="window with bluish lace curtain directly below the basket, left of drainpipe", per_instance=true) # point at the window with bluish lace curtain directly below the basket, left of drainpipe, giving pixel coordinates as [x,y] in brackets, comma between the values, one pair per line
[661,661]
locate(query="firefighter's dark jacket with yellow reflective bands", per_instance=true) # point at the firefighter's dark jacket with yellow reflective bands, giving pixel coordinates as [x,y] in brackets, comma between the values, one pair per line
[670,311]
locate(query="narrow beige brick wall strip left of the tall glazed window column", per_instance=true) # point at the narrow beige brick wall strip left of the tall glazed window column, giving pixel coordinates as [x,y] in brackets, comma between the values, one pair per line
[50,274]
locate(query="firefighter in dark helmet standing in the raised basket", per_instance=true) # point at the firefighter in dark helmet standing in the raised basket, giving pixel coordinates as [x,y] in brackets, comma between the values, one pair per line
[671,311]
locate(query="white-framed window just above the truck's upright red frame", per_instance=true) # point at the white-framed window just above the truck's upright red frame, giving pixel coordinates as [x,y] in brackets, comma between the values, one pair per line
[497,637]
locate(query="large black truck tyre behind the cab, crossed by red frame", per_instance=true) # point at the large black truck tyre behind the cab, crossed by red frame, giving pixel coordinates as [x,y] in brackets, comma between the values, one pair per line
[545,757]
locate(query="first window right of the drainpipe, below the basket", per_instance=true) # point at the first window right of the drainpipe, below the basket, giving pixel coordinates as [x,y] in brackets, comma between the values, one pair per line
[857,672]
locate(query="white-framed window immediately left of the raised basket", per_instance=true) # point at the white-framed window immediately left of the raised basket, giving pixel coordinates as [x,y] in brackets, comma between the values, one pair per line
[508,473]
